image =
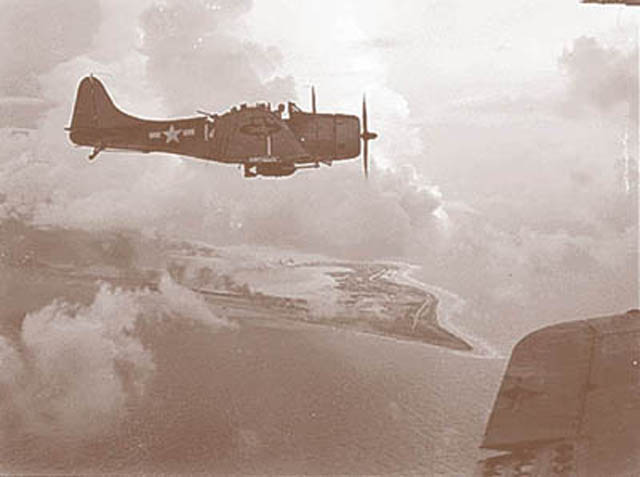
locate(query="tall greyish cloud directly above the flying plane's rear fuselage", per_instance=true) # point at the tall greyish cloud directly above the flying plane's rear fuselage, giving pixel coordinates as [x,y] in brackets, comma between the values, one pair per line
[199,59]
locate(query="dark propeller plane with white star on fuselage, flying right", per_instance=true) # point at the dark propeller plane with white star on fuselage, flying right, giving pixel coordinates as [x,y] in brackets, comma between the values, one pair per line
[260,139]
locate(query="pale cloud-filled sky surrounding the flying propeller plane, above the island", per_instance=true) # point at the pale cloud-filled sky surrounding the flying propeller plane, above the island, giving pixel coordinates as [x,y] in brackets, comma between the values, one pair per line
[505,165]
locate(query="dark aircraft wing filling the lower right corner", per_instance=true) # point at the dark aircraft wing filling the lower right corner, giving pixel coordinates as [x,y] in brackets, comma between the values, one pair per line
[568,403]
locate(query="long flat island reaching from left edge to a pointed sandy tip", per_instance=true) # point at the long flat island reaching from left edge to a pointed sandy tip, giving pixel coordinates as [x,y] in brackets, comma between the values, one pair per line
[241,283]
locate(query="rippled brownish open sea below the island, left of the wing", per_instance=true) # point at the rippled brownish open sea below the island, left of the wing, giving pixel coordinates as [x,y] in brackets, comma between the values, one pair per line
[266,400]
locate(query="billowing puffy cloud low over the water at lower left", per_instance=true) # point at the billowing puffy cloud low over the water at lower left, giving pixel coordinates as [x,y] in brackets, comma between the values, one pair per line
[75,368]
